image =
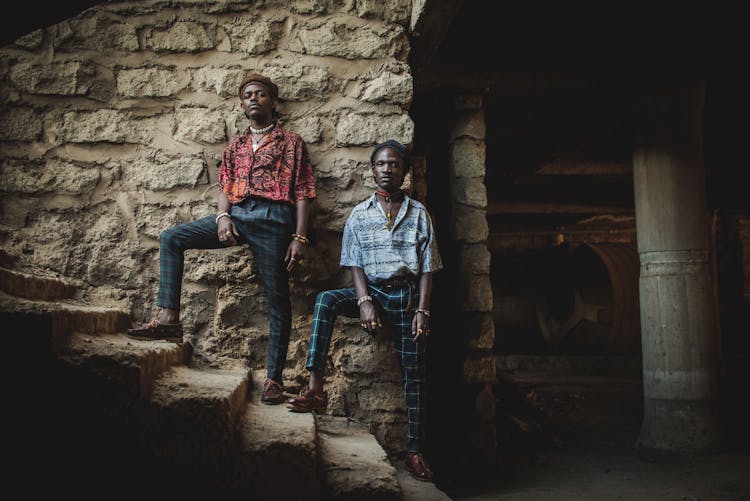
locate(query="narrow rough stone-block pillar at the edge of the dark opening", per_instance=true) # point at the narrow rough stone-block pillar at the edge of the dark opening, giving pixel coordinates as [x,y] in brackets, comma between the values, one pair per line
[474,291]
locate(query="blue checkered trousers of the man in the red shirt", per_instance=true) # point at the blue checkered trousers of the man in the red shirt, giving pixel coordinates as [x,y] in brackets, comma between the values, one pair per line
[266,226]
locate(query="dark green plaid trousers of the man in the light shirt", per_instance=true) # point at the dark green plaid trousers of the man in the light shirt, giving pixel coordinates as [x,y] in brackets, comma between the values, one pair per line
[396,312]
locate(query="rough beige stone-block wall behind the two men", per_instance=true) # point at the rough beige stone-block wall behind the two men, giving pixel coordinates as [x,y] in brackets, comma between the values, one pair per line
[111,127]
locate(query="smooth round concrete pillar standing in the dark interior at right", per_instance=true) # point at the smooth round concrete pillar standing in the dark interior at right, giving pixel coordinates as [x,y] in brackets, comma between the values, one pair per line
[678,318]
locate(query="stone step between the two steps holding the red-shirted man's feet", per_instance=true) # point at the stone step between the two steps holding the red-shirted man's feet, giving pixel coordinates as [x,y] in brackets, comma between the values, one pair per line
[191,428]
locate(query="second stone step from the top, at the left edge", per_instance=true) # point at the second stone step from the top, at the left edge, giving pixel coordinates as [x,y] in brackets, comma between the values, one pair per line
[56,320]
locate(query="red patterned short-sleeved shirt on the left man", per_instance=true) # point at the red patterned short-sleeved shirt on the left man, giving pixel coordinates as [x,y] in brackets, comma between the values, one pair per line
[280,169]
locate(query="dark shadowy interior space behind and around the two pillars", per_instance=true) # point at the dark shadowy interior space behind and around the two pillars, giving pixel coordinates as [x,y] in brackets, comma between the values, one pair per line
[557,88]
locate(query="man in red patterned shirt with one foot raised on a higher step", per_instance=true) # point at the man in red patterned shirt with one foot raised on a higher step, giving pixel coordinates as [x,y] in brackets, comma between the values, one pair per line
[266,185]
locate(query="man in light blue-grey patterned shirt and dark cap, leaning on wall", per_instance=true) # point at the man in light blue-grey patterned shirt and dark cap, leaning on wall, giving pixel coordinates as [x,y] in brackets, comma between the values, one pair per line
[390,249]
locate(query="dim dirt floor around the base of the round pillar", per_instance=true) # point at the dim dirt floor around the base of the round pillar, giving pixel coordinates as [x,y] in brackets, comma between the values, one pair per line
[613,472]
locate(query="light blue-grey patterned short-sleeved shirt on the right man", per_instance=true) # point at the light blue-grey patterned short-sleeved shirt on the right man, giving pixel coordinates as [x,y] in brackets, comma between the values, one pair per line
[408,249]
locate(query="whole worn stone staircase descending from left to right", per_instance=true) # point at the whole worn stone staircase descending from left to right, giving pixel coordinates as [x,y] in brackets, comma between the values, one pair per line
[100,411]
